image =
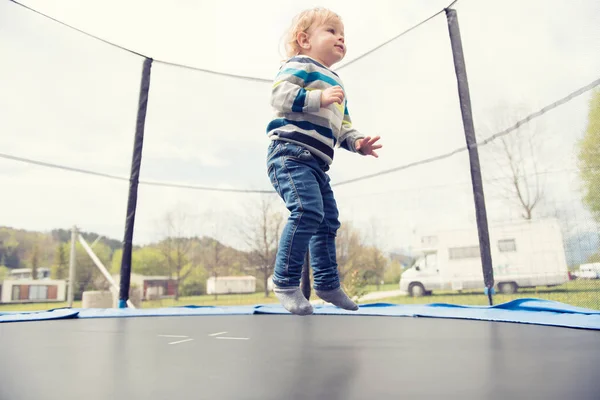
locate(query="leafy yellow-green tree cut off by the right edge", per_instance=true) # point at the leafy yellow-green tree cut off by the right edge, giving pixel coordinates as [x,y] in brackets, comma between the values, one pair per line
[589,157]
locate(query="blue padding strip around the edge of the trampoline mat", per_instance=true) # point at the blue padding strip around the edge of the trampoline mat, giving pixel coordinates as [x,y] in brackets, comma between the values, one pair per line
[527,311]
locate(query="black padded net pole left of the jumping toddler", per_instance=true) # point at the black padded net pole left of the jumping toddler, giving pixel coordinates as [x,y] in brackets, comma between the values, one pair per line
[136,162]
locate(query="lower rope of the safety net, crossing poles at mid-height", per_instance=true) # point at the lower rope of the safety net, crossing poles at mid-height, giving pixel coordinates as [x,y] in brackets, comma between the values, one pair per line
[537,114]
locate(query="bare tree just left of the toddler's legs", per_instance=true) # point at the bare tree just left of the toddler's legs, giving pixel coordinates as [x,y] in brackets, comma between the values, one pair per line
[262,232]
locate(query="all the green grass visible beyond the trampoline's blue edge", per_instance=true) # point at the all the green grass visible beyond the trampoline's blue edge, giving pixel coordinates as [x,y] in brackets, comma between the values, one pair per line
[578,293]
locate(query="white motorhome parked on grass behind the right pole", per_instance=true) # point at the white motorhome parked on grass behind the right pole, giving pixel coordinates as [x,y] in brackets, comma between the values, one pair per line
[524,254]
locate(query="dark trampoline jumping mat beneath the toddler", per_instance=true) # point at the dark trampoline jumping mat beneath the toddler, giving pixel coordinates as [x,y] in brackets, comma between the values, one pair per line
[289,357]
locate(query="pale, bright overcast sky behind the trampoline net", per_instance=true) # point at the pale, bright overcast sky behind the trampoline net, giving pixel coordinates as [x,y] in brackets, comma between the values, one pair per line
[69,99]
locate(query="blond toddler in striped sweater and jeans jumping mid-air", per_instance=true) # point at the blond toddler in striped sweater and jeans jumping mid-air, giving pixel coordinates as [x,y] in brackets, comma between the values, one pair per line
[311,120]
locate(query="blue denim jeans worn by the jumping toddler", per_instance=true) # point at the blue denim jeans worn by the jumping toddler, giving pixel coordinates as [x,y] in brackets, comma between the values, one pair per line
[301,181]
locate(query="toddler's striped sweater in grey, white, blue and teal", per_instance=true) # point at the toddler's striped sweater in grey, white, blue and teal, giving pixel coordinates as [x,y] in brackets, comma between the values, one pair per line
[299,118]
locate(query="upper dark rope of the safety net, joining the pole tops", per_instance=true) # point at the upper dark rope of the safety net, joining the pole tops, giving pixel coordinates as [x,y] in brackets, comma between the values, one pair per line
[229,75]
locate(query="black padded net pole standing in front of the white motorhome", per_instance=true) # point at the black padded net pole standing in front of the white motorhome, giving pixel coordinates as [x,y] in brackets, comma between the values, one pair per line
[467,116]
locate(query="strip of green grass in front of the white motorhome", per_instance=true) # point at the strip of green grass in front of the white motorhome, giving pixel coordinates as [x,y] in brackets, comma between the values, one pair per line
[577,293]
